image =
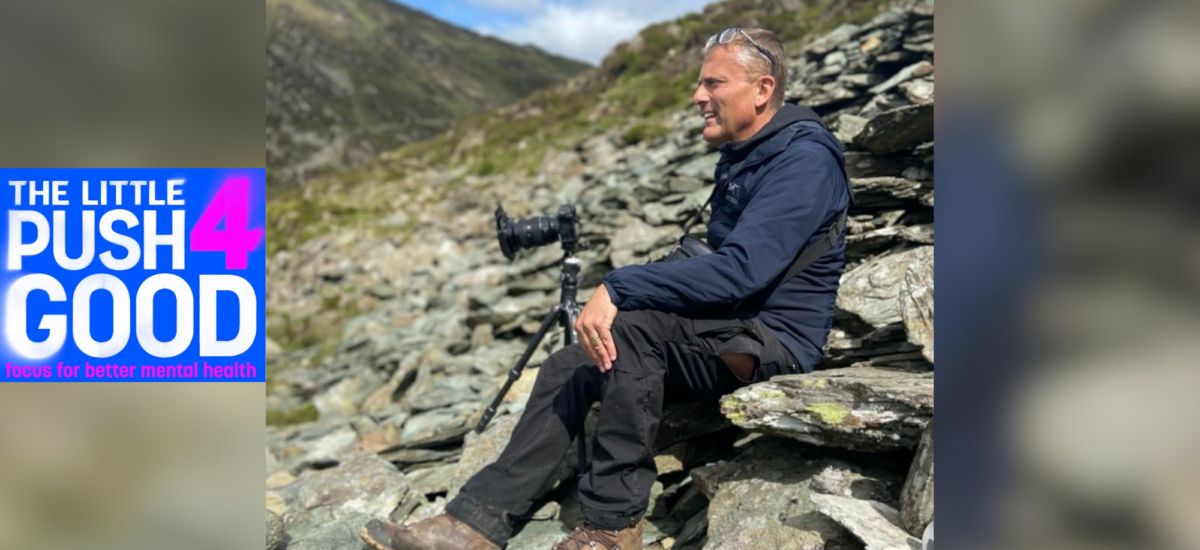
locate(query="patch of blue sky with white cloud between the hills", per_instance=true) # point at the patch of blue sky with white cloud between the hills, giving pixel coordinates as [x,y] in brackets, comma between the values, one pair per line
[579,29]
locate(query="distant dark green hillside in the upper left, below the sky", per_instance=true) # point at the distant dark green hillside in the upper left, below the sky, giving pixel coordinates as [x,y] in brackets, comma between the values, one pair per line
[347,80]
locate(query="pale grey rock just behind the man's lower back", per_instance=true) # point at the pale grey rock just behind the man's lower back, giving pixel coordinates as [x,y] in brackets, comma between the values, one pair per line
[872,291]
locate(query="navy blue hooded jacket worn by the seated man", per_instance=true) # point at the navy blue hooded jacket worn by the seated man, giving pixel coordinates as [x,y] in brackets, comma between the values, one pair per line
[787,189]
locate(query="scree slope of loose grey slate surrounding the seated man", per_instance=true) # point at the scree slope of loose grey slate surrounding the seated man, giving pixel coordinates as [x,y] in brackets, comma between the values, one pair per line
[381,423]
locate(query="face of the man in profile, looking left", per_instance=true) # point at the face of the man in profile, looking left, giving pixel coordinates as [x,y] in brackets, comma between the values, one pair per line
[728,99]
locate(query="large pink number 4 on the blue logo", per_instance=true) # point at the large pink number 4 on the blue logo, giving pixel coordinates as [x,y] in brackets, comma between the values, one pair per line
[236,241]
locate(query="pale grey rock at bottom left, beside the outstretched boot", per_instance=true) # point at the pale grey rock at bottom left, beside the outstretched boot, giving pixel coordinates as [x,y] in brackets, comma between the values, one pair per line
[328,507]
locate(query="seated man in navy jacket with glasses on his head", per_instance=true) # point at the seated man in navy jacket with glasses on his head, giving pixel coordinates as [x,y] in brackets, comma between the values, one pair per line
[688,330]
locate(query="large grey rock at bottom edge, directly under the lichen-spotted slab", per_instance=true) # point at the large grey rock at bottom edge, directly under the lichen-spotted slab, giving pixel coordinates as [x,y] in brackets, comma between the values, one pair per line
[760,500]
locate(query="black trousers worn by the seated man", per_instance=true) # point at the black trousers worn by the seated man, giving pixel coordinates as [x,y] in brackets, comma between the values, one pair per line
[661,358]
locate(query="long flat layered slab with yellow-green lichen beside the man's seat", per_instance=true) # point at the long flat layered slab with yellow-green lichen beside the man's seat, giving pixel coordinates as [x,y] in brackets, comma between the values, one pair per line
[859,409]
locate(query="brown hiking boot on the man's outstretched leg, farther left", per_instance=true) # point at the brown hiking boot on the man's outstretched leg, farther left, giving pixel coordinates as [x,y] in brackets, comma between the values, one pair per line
[441,533]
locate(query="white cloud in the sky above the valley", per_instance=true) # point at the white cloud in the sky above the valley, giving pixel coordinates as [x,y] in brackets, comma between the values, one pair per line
[587,29]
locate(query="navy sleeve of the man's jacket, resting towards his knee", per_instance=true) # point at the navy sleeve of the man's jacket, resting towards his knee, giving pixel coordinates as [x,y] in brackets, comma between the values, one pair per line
[794,198]
